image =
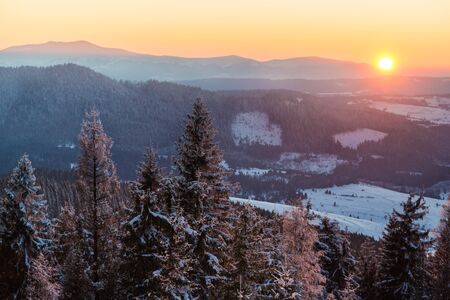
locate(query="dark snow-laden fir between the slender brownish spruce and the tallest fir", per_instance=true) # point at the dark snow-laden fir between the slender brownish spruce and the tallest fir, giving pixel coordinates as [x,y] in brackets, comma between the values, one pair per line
[147,235]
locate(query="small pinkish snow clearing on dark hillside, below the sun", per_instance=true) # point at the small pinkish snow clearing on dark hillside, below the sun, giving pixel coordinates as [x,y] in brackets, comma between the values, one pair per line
[352,139]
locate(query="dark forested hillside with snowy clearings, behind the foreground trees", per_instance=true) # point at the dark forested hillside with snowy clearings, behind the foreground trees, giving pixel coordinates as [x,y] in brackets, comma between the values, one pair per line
[284,133]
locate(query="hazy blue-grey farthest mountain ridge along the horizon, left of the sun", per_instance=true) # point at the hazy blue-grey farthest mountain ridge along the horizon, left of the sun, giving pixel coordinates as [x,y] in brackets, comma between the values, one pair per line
[125,65]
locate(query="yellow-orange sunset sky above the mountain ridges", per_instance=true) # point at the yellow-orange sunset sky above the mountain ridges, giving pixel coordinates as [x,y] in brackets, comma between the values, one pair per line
[416,33]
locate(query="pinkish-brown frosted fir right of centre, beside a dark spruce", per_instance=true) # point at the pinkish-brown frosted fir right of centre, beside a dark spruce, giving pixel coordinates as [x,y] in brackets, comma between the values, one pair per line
[298,241]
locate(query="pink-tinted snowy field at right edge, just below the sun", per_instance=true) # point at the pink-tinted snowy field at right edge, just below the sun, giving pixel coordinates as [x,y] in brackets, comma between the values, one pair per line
[414,112]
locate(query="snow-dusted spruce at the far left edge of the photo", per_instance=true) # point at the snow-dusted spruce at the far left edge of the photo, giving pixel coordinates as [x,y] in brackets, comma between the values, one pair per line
[19,240]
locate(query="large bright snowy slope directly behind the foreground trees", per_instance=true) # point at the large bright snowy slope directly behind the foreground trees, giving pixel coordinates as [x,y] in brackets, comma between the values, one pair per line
[358,208]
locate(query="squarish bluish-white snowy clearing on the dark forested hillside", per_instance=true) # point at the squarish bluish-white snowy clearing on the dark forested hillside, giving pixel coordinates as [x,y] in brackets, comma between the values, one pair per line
[253,128]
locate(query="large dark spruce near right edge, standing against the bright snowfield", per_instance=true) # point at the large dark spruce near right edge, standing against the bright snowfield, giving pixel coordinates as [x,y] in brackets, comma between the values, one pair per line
[402,273]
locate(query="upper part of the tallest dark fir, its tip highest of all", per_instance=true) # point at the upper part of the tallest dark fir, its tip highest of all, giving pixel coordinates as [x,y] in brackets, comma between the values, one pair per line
[198,163]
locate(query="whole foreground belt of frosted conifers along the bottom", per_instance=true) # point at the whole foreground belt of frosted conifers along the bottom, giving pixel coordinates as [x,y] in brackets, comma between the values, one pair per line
[174,234]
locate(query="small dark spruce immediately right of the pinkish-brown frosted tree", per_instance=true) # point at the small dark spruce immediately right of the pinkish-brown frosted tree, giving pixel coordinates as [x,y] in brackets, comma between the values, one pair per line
[337,262]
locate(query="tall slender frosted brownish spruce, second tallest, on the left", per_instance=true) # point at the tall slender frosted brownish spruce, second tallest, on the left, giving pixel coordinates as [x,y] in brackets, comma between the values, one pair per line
[97,183]
